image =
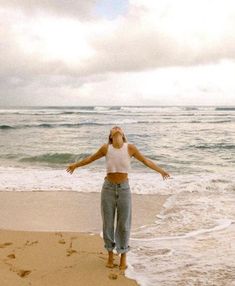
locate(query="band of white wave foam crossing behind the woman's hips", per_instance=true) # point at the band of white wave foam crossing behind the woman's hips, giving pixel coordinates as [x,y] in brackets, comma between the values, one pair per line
[88,180]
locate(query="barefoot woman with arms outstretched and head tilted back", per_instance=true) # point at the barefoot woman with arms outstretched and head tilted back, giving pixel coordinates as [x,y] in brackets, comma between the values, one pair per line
[115,192]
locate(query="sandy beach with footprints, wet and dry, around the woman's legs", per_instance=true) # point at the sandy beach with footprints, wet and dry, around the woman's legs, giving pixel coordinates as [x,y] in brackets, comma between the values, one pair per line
[53,238]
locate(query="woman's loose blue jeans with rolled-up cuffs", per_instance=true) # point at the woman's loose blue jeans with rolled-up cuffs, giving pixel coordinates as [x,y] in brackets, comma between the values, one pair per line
[114,197]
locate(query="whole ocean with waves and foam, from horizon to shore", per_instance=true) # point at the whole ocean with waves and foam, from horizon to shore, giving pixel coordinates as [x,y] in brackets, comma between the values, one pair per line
[191,242]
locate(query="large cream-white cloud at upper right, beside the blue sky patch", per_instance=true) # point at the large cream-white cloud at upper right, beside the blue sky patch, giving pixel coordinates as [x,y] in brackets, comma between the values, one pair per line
[167,33]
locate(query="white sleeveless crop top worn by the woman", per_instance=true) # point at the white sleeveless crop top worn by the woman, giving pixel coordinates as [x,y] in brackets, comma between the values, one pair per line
[117,159]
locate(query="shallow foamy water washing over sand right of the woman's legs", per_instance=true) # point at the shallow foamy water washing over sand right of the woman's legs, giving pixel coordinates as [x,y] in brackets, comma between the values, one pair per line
[191,242]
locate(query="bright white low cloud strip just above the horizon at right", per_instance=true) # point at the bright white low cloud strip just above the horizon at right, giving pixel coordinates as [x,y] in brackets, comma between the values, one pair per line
[210,85]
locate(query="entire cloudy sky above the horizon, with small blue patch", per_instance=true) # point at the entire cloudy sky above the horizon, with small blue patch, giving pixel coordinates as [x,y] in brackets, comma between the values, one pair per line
[136,52]
